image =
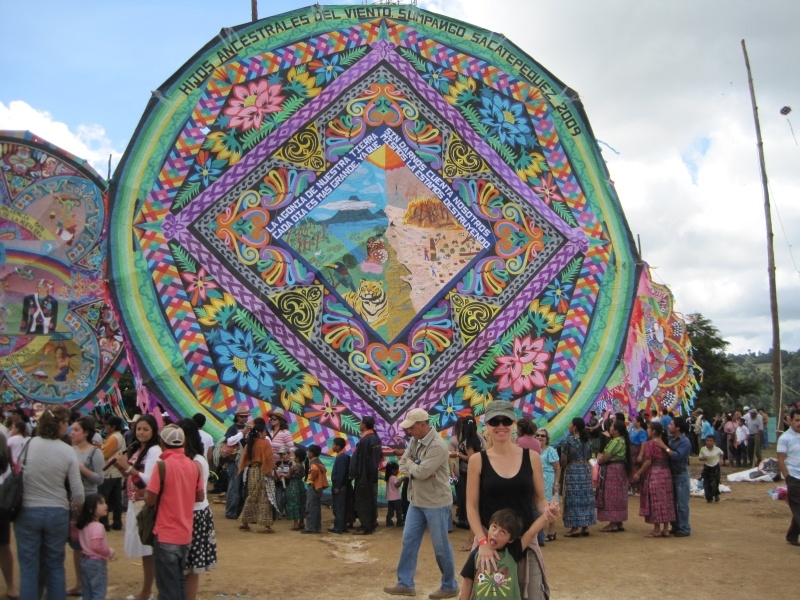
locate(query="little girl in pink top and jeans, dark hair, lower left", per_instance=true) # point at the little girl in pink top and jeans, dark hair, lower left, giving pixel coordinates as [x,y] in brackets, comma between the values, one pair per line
[96,553]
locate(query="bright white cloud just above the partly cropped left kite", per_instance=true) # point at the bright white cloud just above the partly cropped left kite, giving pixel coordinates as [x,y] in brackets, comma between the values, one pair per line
[88,142]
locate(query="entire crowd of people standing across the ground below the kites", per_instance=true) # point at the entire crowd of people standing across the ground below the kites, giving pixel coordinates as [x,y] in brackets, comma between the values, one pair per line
[508,484]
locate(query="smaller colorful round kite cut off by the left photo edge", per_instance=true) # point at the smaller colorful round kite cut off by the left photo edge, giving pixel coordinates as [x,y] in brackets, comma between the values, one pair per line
[59,337]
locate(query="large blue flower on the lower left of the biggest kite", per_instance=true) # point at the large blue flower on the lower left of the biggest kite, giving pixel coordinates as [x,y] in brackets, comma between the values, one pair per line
[242,363]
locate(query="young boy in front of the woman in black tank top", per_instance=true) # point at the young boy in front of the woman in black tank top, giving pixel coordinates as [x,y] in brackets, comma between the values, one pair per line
[509,546]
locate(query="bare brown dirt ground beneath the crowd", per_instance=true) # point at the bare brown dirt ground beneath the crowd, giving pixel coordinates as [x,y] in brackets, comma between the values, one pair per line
[737,550]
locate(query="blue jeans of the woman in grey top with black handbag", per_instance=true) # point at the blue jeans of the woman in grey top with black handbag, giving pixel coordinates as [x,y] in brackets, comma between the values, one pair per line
[42,534]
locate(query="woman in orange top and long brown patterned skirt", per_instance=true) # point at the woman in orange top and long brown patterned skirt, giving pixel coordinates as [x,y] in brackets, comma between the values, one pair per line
[258,464]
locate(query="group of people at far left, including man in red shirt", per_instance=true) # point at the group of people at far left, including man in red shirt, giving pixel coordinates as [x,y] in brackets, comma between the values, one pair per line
[73,480]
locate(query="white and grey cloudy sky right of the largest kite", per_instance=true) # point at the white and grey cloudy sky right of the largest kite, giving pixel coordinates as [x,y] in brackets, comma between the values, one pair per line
[658,80]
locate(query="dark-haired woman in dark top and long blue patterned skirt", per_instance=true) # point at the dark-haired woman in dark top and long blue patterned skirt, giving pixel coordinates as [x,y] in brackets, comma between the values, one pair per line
[576,451]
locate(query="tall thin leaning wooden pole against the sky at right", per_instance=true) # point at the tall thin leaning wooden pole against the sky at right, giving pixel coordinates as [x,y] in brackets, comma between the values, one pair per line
[773,291]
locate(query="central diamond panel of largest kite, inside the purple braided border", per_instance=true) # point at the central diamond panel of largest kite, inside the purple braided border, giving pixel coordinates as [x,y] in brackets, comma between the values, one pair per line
[379,205]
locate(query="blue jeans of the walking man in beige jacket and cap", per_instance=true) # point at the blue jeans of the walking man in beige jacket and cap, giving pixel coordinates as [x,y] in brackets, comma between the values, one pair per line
[437,521]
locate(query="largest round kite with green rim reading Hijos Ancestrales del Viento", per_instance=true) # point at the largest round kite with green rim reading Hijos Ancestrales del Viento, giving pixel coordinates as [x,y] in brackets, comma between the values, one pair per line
[355,210]
